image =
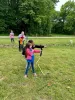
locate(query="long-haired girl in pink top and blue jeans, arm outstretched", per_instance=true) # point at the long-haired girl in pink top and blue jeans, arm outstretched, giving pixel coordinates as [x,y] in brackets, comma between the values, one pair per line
[29,55]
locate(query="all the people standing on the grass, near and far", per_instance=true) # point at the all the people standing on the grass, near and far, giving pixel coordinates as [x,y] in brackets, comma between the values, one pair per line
[28,51]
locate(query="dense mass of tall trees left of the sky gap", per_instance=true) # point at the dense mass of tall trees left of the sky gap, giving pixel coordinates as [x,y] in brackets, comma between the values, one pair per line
[32,16]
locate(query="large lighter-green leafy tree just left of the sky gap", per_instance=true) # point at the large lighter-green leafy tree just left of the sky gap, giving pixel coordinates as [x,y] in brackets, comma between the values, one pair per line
[37,15]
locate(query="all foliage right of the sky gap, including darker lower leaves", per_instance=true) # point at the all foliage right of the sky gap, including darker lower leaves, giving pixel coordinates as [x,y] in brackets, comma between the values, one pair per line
[65,19]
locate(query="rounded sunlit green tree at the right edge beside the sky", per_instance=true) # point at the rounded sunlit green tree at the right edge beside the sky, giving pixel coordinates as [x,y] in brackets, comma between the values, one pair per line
[67,14]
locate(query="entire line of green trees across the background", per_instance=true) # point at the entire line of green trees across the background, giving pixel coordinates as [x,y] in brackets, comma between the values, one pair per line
[37,17]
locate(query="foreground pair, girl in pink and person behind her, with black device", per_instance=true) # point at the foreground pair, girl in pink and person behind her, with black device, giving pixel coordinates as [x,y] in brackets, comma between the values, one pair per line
[28,52]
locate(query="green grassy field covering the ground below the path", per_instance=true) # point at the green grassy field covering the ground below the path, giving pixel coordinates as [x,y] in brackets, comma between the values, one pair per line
[55,80]
